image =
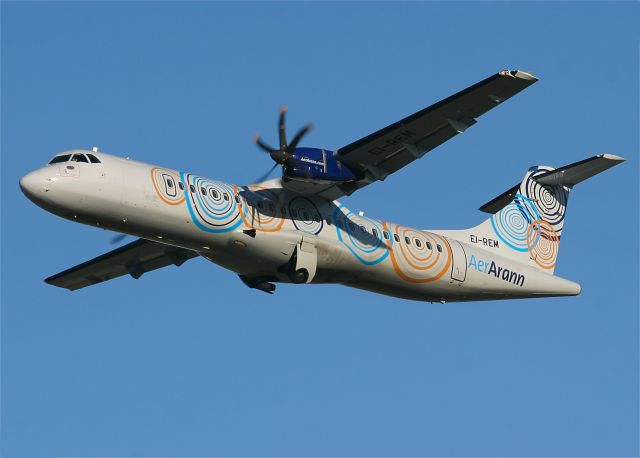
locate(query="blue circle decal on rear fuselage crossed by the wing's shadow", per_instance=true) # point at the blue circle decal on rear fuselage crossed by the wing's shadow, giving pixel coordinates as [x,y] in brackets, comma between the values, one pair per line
[366,246]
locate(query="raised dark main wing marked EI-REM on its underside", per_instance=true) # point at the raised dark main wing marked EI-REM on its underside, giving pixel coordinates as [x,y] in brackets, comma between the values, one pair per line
[386,151]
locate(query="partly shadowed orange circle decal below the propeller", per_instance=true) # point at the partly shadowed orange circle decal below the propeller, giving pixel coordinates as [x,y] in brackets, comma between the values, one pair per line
[260,208]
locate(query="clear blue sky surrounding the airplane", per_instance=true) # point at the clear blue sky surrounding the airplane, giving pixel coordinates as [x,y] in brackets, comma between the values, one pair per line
[189,362]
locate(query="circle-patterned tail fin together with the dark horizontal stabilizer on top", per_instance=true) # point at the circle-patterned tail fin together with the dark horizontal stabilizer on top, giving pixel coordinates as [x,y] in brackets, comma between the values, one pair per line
[527,220]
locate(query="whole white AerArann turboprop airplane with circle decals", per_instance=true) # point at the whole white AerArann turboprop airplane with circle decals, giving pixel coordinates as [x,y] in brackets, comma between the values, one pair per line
[293,230]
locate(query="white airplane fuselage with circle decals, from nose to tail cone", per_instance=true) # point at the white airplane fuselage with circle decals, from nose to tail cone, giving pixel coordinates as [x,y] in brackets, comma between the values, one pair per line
[265,233]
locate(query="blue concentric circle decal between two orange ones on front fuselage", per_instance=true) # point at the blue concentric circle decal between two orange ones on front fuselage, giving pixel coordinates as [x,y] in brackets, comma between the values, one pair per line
[212,204]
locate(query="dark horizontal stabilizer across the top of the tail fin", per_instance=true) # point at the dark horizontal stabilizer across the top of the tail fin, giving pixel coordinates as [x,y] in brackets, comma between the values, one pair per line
[568,176]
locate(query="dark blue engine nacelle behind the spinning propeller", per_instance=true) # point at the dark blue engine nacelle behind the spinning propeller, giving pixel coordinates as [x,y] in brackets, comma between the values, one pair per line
[318,164]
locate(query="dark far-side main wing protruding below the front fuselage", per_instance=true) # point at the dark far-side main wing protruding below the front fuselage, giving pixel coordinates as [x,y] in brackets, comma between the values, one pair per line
[134,259]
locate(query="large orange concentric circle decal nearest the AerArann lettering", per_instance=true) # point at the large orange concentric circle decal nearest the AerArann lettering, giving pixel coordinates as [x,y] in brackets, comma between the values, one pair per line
[423,261]
